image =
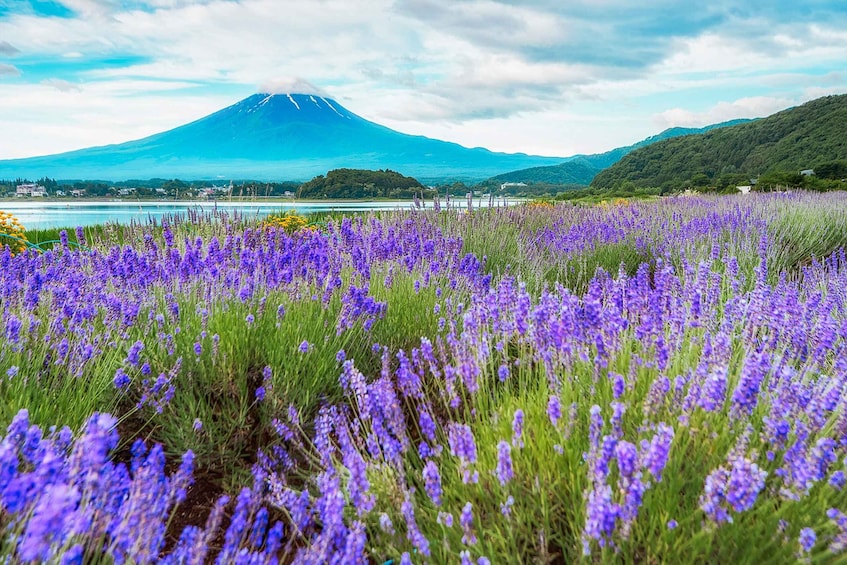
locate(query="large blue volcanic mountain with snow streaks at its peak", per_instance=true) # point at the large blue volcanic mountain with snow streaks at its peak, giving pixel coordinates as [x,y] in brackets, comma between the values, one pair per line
[274,137]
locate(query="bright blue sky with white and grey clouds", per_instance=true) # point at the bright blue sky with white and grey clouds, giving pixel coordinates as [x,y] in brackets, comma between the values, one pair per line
[551,77]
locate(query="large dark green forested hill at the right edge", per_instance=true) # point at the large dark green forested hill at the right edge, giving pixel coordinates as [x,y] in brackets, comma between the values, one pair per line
[805,137]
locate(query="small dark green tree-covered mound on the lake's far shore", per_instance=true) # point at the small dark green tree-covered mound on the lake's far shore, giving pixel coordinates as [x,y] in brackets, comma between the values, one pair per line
[359,183]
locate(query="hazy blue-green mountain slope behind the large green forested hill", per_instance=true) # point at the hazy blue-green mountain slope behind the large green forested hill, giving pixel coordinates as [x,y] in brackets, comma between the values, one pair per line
[581,169]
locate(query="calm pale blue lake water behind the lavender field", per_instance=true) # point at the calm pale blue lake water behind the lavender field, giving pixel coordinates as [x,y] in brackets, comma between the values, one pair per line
[58,214]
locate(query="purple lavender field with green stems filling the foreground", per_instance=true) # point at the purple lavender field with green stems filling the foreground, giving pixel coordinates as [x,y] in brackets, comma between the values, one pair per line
[644,382]
